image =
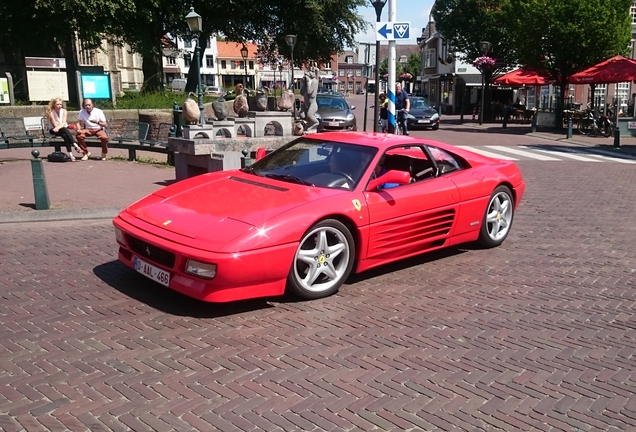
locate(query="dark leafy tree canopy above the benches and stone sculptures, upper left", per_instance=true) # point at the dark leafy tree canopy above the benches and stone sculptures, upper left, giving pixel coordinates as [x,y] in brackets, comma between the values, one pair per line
[322,27]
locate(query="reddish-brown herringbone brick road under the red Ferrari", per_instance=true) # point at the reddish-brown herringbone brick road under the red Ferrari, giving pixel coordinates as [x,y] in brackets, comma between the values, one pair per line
[536,335]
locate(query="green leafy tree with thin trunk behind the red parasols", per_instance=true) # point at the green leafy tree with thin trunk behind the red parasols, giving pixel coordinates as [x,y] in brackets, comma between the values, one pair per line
[569,36]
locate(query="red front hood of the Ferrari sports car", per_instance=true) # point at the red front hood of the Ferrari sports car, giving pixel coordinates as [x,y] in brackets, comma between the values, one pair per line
[224,204]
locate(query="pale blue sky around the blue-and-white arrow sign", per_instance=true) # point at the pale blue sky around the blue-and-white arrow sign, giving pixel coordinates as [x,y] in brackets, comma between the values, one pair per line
[414,11]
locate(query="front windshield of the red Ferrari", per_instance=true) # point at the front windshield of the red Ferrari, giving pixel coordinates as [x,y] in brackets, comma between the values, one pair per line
[317,163]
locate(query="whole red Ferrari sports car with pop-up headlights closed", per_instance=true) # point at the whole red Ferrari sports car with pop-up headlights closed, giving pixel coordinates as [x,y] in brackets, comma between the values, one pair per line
[308,214]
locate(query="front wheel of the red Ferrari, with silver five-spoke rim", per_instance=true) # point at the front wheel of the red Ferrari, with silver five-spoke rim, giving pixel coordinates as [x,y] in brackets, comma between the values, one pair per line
[323,261]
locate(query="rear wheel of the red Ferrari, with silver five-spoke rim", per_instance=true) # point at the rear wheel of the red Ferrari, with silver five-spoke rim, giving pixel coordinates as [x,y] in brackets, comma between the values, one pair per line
[497,218]
